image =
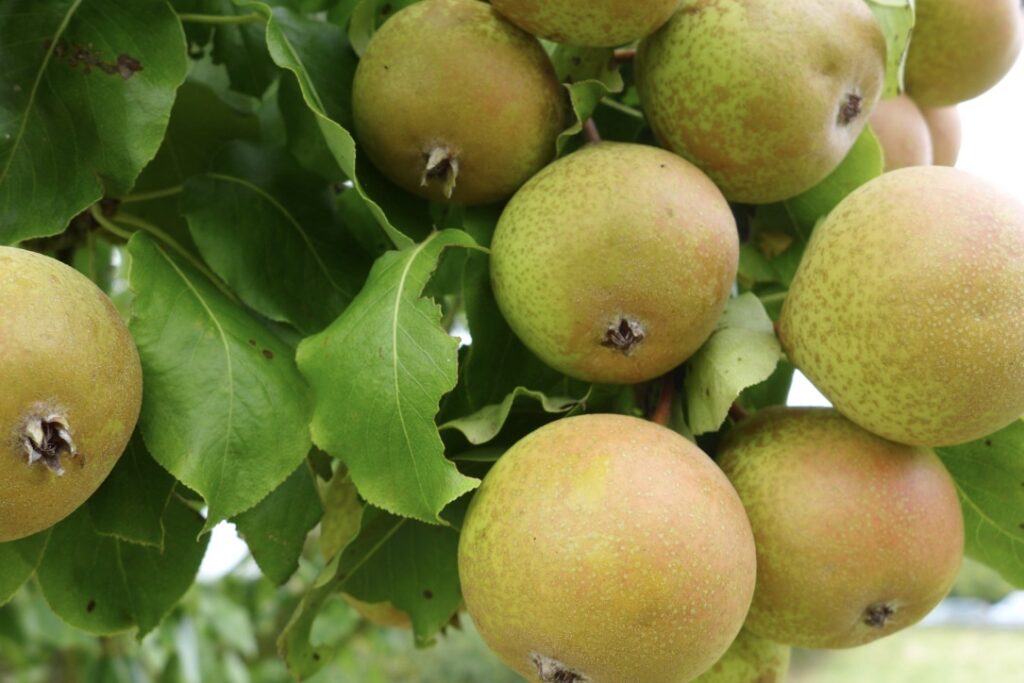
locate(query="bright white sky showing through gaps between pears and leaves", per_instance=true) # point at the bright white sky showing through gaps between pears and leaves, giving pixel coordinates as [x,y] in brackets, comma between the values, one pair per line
[994,149]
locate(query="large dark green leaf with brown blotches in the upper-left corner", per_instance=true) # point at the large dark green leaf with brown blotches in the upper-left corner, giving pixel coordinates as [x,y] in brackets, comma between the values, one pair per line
[86,97]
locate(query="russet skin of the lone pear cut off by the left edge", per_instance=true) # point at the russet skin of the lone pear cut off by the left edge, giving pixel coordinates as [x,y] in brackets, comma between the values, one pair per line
[64,352]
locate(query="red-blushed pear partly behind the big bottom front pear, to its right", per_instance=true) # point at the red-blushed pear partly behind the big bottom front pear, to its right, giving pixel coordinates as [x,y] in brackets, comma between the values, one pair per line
[858,537]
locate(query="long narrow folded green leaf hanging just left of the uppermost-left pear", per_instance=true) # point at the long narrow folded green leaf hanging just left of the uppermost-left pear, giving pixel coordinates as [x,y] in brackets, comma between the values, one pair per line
[292,50]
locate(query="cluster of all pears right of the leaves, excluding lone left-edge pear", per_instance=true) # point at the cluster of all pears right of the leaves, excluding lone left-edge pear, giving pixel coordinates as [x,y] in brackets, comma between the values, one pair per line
[606,548]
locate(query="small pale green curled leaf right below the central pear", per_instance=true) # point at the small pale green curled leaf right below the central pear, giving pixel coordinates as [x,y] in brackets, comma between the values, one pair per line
[743,352]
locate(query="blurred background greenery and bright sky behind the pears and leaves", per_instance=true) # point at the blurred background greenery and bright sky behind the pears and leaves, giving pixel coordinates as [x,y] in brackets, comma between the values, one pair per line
[226,628]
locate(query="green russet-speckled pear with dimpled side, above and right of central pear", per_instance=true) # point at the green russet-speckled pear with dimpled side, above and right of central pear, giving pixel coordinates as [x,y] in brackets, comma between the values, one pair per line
[766,97]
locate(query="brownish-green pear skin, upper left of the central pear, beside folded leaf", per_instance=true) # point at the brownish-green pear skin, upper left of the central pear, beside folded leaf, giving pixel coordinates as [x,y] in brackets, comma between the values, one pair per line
[455,74]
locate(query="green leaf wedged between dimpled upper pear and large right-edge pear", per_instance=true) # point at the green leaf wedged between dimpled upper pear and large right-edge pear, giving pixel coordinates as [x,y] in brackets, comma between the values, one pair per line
[863,163]
